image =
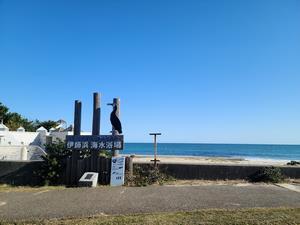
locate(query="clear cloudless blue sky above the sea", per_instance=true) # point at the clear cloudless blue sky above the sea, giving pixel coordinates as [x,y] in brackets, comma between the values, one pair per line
[197,71]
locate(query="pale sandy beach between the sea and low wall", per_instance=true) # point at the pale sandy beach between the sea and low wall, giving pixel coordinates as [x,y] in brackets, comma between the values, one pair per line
[210,160]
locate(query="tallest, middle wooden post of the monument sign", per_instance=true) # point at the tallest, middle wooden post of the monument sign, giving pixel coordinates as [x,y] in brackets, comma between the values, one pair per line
[96,129]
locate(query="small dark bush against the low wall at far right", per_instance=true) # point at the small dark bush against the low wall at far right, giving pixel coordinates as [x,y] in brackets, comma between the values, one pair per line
[268,175]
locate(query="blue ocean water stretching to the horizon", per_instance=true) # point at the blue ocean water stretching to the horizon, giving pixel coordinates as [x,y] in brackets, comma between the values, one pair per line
[245,151]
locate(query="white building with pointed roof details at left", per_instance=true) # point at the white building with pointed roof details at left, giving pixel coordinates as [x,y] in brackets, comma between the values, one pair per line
[23,145]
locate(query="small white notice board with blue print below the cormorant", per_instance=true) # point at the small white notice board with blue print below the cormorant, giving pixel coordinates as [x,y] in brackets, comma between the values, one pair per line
[117,171]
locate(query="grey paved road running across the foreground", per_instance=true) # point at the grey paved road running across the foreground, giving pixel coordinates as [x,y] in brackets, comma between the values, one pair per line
[127,200]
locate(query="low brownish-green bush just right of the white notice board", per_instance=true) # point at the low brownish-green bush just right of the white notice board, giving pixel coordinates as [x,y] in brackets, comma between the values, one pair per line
[147,175]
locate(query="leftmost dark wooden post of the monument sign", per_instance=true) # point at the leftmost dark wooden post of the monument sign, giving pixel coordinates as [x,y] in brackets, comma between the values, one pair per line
[77,131]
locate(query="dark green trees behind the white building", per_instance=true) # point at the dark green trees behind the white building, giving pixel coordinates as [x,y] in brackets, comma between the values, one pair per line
[14,120]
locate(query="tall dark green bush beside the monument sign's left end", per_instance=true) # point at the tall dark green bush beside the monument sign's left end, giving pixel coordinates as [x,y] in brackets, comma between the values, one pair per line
[54,164]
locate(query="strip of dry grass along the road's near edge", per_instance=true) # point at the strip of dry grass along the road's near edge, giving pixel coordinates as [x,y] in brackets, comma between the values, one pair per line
[256,216]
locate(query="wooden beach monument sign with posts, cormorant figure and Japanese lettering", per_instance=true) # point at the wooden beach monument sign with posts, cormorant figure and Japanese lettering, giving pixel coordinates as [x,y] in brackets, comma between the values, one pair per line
[97,142]
